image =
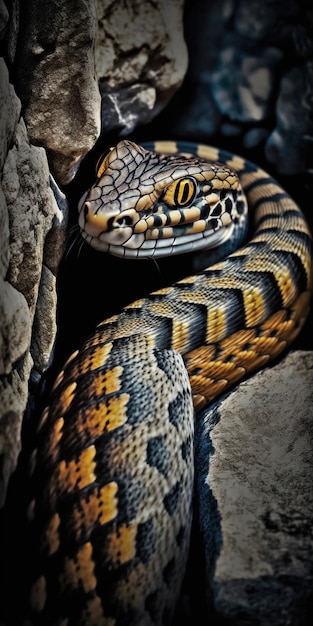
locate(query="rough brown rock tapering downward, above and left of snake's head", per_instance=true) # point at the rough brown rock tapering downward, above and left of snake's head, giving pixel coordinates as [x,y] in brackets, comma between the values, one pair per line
[56,81]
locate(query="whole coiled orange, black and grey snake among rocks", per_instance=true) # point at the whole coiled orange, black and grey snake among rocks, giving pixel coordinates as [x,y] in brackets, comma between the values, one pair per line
[111,473]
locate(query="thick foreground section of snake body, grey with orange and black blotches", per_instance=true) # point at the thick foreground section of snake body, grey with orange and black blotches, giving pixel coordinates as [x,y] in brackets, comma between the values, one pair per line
[114,480]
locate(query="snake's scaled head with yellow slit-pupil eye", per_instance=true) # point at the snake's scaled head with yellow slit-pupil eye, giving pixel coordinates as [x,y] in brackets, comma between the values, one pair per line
[145,204]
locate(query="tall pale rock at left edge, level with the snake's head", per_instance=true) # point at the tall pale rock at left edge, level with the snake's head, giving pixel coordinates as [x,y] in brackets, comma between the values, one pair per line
[31,208]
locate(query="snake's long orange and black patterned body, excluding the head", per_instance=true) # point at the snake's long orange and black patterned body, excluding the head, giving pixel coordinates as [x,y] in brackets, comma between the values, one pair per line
[112,474]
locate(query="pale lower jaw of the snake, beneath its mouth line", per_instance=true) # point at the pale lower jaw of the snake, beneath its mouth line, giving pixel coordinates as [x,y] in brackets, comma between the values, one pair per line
[145,245]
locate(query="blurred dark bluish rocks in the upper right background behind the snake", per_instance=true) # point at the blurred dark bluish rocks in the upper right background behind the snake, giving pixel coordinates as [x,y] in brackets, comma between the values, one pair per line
[250,77]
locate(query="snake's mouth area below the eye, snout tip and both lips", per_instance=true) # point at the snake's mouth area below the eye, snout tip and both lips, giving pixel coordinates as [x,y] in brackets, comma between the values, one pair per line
[129,234]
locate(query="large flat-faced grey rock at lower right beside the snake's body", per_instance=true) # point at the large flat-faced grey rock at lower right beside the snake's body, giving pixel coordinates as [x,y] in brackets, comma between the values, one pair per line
[258,522]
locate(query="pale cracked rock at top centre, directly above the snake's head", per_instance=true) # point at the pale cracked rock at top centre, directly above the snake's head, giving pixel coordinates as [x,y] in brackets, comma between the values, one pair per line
[141,59]
